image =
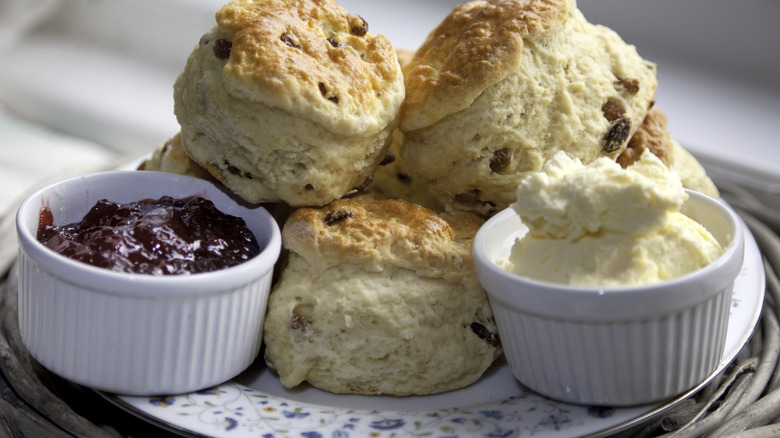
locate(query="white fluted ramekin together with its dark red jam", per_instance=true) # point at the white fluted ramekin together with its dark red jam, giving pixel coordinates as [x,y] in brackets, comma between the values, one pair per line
[105,318]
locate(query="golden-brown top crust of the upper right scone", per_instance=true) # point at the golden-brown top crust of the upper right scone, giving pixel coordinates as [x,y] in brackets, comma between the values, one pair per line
[475,46]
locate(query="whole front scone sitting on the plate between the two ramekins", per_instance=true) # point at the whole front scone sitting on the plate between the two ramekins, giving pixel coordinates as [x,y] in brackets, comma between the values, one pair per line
[379,297]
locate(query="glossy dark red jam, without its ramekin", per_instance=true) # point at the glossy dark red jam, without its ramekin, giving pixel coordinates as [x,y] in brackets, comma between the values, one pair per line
[164,236]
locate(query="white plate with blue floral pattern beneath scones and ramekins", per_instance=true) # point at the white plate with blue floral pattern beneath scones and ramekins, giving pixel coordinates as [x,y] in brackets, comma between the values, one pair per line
[256,405]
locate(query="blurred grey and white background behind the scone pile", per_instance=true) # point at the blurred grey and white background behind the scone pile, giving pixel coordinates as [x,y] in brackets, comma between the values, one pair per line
[87,81]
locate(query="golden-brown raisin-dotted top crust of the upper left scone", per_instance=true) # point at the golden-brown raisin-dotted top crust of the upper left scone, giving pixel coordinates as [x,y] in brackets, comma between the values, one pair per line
[312,58]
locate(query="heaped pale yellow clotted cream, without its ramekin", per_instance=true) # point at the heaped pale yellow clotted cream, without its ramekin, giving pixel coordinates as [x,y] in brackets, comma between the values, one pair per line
[601,225]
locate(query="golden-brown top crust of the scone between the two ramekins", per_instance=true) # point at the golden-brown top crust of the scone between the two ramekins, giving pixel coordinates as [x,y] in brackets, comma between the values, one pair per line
[377,233]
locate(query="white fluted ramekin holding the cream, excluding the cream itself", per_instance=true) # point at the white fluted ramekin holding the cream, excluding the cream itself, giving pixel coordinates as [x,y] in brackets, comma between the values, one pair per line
[615,346]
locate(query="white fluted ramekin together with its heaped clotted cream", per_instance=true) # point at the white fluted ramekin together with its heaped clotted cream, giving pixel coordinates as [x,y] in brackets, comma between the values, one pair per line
[610,286]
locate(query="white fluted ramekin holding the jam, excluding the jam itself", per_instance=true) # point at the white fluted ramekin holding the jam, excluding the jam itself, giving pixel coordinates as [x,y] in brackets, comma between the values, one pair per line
[140,334]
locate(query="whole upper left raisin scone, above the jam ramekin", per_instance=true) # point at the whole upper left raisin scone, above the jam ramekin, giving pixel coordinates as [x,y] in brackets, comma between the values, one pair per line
[291,101]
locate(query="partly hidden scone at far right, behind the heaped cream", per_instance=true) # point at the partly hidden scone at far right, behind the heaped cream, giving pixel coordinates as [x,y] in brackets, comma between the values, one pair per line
[653,135]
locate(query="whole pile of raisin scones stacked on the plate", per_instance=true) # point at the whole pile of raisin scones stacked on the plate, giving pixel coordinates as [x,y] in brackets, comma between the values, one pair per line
[381,163]
